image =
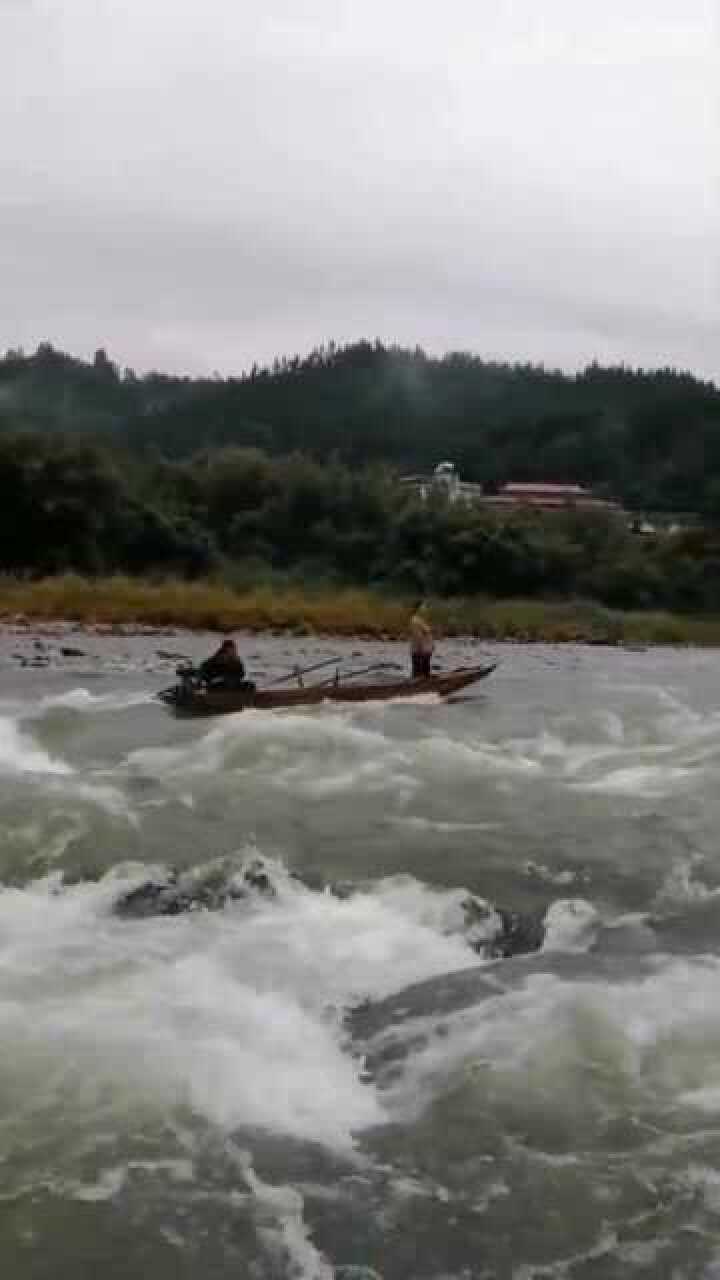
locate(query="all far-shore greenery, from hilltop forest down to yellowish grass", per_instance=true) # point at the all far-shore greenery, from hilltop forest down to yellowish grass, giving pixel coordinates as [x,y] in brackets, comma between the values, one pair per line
[284,486]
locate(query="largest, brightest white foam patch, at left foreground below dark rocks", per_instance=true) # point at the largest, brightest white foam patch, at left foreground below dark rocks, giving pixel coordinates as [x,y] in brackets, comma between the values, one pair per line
[238,1014]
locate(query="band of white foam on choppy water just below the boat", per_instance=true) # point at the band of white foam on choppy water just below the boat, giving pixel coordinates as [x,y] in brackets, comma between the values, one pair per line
[338,751]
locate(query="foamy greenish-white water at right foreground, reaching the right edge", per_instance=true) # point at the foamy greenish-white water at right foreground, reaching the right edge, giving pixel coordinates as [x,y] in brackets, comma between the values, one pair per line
[555,1040]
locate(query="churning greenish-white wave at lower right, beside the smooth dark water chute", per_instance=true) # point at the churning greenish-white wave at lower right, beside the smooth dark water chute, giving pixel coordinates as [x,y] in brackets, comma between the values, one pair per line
[564,1045]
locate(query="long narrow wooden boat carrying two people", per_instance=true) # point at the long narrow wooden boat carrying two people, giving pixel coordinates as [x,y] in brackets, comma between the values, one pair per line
[193,698]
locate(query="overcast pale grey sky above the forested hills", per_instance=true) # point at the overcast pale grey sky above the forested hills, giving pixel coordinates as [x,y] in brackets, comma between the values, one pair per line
[200,184]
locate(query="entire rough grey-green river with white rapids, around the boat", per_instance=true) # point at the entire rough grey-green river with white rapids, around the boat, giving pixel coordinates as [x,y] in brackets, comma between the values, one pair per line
[331,1077]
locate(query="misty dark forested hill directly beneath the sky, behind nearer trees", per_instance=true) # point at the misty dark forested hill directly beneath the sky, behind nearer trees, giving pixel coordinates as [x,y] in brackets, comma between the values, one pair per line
[650,438]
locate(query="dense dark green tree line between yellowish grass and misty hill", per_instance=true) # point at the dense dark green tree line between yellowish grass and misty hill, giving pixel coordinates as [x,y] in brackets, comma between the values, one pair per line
[249,516]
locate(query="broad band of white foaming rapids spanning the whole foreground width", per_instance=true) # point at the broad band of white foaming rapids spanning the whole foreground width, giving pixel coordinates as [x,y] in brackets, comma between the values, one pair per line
[240,1013]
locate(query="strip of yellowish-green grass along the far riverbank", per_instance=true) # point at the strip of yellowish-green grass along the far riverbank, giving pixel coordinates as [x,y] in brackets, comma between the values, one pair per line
[127,605]
